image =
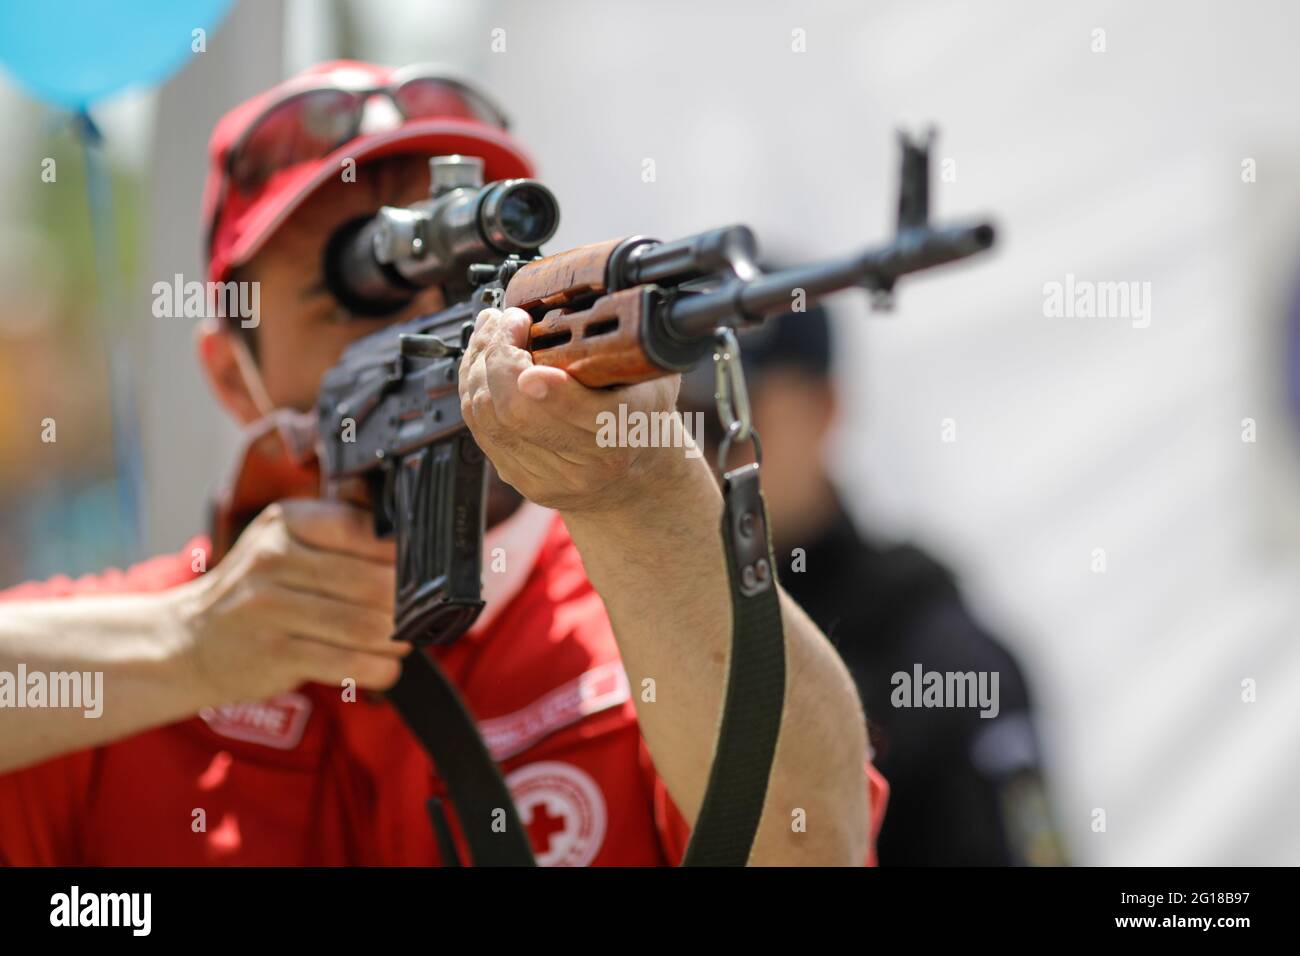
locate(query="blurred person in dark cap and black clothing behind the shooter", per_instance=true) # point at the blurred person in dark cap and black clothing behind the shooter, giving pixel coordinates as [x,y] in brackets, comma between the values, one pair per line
[965,790]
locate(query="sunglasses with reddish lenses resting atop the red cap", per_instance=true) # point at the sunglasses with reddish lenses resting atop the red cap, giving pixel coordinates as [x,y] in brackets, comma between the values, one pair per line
[311,122]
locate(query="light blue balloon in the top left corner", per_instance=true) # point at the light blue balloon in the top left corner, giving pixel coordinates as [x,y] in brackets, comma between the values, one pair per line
[75,53]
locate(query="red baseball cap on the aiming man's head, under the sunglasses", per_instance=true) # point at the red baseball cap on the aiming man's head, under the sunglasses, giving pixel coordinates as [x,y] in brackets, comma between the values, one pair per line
[237,224]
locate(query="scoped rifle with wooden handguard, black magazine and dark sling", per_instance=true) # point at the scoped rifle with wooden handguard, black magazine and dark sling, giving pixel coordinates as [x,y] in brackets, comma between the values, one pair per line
[610,314]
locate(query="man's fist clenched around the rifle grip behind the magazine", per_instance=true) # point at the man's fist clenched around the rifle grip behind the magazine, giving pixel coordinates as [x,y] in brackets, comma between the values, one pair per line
[306,595]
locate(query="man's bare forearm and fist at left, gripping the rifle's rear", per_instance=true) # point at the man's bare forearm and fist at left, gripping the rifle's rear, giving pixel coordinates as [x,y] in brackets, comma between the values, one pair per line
[306,595]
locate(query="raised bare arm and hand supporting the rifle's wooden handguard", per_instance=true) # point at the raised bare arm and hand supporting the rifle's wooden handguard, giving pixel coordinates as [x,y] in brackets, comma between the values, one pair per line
[647,524]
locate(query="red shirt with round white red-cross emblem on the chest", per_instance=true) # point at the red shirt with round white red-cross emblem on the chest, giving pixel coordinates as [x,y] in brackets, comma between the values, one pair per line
[310,780]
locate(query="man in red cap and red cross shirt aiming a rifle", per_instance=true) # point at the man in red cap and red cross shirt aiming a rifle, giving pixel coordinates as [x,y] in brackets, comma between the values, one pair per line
[597,671]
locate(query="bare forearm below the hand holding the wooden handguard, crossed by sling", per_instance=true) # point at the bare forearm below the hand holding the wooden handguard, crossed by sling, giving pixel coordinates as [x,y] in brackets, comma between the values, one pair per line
[661,572]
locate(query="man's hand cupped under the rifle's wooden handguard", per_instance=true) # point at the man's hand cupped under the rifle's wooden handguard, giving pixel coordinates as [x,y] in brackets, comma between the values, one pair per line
[539,426]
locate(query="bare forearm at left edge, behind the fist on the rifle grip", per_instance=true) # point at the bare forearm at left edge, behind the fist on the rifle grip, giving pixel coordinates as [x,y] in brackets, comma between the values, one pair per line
[124,648]
